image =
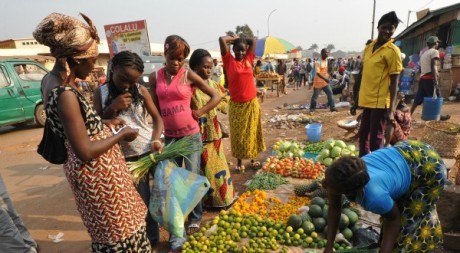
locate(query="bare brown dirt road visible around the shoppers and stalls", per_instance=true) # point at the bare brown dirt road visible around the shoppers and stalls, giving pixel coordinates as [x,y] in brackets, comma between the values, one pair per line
[42,196]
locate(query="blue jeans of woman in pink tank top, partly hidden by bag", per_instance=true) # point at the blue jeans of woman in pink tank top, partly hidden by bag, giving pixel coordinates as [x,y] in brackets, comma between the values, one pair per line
[192,164]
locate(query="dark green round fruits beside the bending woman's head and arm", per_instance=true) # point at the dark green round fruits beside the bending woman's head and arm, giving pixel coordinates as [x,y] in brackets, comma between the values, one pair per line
[316,218]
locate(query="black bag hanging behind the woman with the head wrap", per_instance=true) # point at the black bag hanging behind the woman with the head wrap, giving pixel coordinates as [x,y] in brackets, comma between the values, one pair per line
[52,146]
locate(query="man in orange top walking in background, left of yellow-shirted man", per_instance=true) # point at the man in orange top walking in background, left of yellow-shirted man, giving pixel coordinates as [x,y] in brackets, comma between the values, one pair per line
[321,82]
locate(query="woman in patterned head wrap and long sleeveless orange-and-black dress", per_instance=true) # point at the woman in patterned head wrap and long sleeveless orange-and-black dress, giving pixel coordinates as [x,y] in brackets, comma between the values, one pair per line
[110,207]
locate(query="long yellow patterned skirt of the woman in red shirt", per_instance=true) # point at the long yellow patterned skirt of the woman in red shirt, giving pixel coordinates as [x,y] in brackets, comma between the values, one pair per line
[246,129]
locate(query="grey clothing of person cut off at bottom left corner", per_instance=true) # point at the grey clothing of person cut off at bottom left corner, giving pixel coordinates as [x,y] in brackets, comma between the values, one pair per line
[14,236]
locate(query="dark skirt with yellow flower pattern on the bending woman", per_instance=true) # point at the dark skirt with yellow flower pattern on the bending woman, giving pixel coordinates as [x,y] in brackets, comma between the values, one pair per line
[420,226]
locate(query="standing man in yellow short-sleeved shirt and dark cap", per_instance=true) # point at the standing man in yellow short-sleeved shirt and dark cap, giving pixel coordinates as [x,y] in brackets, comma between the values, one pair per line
[377,92]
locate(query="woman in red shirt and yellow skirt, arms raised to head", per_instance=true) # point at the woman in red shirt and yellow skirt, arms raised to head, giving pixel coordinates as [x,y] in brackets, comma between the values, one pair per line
[244,109]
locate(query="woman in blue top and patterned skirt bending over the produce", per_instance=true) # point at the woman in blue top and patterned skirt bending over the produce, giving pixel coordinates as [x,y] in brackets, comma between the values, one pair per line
[402,184]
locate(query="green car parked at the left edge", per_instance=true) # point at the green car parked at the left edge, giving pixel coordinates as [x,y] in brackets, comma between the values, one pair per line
[20,92]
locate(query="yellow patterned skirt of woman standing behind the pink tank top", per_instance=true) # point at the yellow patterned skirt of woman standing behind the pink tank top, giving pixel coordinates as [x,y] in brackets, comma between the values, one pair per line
[214,166]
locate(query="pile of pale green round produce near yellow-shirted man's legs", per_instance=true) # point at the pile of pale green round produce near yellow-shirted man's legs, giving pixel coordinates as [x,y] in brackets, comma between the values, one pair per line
[333,150]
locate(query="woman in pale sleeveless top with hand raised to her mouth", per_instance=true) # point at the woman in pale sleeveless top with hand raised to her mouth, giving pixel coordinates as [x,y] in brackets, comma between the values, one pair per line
[122,97]
